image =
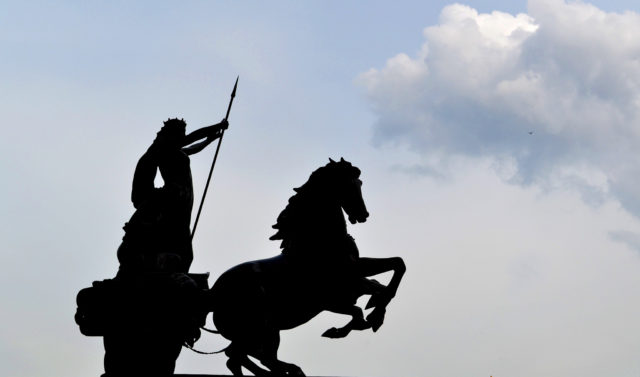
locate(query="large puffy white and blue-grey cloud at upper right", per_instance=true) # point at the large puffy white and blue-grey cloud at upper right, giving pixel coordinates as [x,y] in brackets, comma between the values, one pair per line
[555,93]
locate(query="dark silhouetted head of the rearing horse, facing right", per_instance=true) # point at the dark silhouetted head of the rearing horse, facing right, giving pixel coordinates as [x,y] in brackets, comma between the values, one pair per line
[349,190]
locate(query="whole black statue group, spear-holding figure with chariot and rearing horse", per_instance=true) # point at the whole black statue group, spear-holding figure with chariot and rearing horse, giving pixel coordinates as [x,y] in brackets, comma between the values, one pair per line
[154,306]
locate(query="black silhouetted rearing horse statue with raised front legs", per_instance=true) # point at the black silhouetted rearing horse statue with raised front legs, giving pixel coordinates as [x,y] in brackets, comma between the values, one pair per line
[319,269]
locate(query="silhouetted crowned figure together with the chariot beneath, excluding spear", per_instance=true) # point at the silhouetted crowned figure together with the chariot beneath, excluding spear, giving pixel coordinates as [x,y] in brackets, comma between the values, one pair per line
[152,307]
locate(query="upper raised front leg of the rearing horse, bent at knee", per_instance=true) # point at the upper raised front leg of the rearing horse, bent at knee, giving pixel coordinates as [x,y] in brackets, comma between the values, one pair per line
[380,299]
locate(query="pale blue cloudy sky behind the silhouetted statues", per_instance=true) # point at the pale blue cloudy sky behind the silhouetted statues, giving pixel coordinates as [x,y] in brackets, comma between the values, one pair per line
[496,140]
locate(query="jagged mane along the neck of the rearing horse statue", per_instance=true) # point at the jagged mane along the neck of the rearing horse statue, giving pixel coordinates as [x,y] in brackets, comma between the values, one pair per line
[287,223]
